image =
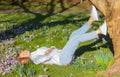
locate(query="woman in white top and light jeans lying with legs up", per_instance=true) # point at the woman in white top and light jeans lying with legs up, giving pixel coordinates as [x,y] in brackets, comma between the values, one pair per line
[64,56]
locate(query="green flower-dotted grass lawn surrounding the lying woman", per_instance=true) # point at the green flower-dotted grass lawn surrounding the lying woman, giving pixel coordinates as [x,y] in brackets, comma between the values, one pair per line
[35,30]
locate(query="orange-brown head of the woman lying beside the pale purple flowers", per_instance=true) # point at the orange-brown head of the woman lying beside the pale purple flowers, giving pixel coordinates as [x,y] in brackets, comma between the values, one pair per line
[23,57]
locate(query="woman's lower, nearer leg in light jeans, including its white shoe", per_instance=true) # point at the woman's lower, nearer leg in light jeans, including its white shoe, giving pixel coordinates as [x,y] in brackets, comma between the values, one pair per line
[69,49]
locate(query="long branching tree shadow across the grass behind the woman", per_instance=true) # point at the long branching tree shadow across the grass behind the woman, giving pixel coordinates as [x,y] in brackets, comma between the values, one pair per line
[37,21]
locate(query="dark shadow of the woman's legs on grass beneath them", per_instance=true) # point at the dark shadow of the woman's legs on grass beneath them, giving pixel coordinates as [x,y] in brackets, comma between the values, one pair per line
[88,48]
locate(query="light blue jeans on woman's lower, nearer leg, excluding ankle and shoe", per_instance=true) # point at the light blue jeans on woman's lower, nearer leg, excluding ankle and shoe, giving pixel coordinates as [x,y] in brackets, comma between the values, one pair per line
[66,54]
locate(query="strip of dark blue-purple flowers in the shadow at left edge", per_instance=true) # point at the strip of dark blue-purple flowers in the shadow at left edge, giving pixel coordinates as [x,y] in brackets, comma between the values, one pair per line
[15,31]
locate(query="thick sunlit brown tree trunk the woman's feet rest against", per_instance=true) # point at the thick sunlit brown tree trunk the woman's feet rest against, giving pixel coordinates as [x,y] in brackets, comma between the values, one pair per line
[111,11]
